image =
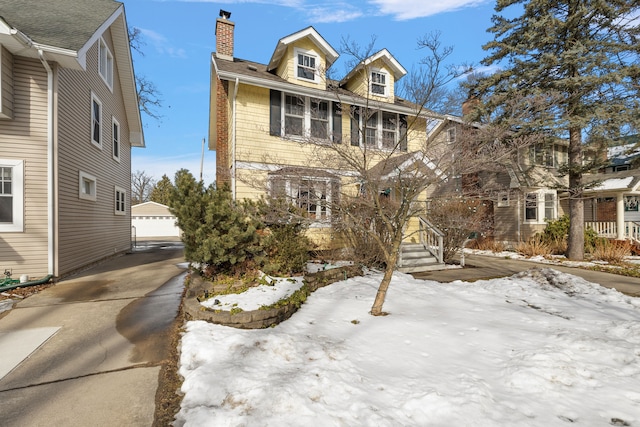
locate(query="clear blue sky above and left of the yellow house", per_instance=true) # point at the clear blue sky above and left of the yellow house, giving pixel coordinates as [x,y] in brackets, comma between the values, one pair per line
[179,39]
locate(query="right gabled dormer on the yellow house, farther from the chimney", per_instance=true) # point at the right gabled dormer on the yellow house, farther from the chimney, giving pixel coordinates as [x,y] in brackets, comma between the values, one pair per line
[375,77]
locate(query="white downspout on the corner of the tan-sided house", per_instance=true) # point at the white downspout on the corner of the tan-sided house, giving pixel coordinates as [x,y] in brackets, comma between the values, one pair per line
[50,167]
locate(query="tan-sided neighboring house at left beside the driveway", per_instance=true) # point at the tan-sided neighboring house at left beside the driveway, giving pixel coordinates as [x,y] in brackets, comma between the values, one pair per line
[68,118]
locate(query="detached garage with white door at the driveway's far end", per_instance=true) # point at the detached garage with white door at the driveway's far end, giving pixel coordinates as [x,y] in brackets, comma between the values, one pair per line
[153,220]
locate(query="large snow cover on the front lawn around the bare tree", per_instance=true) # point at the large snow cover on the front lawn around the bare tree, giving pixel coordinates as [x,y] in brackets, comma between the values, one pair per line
[541,348]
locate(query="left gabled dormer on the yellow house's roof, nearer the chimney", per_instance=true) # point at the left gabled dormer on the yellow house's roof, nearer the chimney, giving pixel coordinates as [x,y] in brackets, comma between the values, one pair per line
[303,58]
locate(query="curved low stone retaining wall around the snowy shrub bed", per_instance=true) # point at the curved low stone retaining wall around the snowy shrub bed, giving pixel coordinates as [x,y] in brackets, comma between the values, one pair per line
[256,319]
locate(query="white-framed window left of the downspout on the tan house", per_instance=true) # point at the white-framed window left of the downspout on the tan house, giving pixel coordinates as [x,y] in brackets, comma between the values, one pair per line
[11,195]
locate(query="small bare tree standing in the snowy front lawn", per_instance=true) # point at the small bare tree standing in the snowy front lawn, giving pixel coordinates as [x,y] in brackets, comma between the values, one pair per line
[382,184]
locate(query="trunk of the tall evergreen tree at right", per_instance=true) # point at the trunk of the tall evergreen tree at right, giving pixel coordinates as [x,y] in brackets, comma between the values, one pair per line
[575,241]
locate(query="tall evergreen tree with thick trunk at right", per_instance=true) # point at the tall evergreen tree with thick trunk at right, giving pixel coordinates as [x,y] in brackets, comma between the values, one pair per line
[582,57]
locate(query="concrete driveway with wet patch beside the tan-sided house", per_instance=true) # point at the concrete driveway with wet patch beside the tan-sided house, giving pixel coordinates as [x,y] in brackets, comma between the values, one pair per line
[88,351]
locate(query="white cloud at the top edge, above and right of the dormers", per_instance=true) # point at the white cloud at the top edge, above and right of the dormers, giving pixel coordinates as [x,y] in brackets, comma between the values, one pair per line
[403,10]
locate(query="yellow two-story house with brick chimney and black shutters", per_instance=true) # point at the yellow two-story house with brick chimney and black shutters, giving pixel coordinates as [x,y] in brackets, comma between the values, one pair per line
[278,126]
